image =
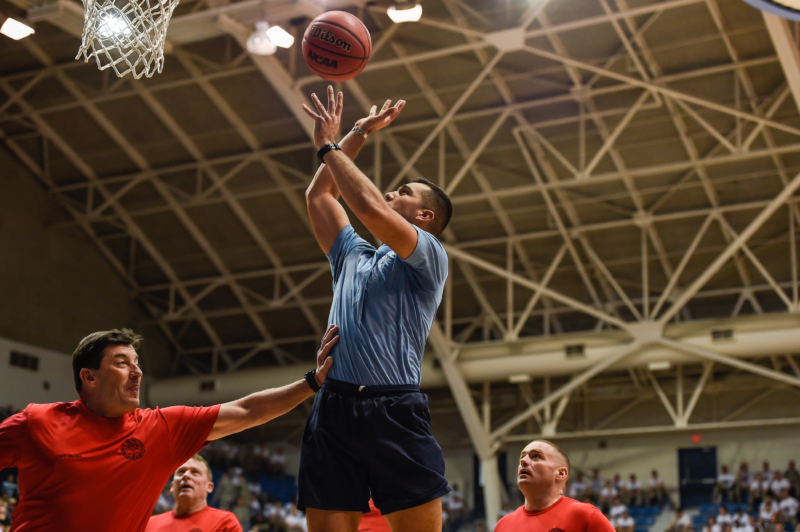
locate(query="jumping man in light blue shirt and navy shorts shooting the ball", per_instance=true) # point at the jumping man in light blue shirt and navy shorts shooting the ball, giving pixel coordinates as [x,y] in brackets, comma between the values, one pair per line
[368,434]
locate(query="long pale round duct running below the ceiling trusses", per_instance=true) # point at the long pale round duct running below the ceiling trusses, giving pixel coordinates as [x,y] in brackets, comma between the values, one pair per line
[498,361]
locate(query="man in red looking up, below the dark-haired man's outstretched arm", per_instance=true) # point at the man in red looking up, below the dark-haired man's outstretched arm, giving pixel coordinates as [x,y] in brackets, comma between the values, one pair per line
[190,487]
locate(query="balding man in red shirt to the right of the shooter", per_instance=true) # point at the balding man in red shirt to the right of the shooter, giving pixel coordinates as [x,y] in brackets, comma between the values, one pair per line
[542,473]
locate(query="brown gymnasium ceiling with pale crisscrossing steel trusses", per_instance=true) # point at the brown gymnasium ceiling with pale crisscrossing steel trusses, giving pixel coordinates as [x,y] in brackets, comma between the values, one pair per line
[611,152]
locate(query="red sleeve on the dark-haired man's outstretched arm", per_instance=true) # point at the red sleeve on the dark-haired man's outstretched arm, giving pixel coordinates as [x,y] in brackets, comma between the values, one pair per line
[189,428]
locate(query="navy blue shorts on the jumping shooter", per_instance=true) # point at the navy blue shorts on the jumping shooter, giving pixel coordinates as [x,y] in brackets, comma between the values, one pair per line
[375,442]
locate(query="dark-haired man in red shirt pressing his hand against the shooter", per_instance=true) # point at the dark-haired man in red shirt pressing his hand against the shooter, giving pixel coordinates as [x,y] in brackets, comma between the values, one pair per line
[99,463]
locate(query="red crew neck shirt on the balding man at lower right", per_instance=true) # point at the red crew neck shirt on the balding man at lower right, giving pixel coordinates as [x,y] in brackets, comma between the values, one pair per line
[565,515]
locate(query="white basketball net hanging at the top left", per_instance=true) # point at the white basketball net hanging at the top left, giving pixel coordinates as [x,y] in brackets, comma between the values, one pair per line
[127,36]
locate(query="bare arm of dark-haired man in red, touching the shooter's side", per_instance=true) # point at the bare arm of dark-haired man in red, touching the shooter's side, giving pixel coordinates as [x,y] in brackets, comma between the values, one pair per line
[258,408]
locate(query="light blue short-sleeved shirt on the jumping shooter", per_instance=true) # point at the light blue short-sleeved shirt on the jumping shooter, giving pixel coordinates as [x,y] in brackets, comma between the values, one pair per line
[384,307]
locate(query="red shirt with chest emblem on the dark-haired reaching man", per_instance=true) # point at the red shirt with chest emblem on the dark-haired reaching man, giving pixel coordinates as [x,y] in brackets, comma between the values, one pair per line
[79,471]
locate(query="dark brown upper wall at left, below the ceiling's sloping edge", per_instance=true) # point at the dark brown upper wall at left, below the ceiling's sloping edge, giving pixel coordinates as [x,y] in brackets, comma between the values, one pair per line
[55,286]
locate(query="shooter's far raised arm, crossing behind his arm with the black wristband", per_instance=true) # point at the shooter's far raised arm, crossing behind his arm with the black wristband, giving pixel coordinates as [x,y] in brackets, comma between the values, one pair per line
[327,215]
